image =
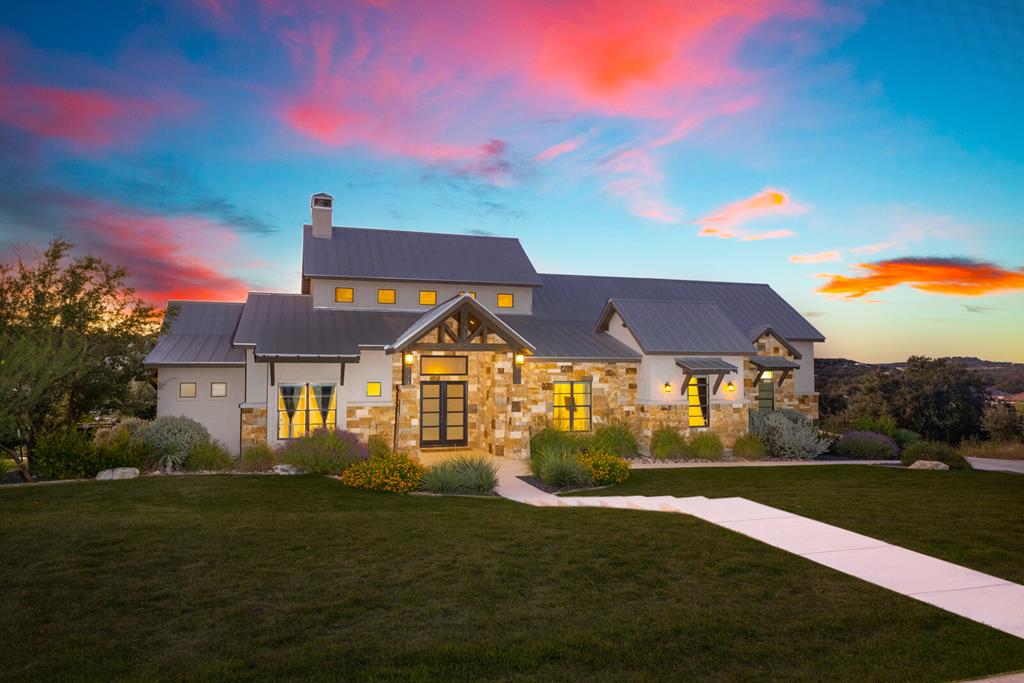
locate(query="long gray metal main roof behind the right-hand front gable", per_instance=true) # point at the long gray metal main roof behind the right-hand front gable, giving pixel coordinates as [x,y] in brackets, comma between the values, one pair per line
[747,306]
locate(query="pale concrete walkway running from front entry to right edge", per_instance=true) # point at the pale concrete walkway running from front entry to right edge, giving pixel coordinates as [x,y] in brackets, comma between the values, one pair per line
[972,594]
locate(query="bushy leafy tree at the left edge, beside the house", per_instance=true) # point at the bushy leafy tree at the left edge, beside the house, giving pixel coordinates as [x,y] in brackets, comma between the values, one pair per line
[73,336]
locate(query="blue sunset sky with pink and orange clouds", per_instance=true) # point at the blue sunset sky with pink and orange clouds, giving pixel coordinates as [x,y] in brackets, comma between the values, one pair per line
[865,159]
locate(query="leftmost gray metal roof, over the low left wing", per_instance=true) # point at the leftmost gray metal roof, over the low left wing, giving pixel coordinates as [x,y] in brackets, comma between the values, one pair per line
[200,334]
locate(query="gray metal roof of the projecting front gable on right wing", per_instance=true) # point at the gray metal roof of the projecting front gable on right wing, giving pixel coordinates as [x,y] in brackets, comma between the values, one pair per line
[677,327]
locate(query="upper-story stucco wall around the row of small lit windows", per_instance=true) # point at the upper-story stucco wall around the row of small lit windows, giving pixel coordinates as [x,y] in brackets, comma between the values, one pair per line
[365,293]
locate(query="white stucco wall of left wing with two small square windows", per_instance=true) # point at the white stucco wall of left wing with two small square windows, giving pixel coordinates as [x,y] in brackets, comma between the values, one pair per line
[220,416]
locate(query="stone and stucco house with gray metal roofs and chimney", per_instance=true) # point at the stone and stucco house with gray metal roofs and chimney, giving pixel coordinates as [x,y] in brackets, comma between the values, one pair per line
[436,340]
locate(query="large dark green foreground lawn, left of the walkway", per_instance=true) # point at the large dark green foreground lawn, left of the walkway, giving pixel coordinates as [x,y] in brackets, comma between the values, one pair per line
[278,578]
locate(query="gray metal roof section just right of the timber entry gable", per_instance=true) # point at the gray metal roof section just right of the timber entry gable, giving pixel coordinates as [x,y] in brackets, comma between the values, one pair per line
[570,340]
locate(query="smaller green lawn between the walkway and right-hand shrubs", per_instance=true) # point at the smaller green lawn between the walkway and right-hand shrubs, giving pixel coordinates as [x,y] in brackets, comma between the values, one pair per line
[971,519]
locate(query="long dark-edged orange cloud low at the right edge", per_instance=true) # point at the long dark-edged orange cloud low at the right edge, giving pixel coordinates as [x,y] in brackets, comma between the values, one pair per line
[960,277]
